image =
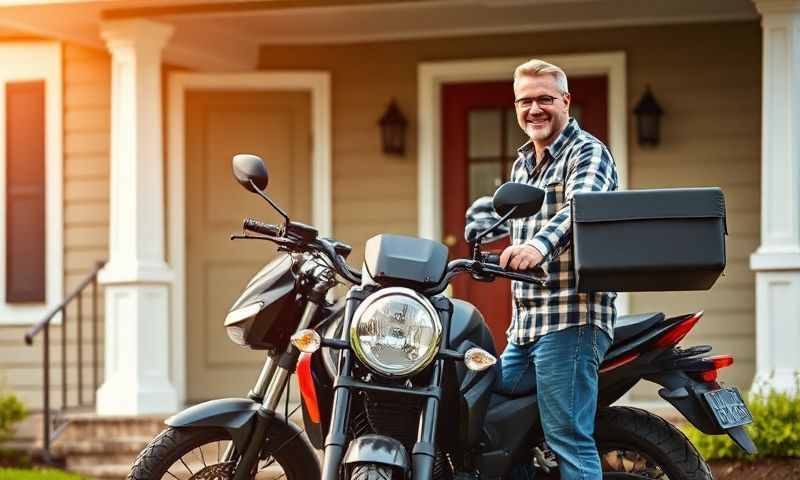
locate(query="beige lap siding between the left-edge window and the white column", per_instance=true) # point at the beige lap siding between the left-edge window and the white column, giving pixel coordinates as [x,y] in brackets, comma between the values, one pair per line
[86,172]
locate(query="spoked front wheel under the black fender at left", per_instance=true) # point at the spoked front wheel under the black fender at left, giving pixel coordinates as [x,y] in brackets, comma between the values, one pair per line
[198,452]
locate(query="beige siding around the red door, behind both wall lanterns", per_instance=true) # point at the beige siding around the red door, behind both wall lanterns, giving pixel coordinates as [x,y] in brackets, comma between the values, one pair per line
[706,76]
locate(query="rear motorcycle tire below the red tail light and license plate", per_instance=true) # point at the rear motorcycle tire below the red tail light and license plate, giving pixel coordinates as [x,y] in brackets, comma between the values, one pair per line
[634,443]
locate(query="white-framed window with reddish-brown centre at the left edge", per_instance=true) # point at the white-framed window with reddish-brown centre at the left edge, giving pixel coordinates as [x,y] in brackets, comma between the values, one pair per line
[31,244]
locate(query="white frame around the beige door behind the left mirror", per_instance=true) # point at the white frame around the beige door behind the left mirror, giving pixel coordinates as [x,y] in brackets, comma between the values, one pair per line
[318,84]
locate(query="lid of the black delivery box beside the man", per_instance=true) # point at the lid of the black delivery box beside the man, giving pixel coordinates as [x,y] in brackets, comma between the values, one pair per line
[648,204]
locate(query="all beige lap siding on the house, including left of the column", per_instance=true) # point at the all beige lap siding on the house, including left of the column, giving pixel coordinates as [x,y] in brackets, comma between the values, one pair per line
[706,76]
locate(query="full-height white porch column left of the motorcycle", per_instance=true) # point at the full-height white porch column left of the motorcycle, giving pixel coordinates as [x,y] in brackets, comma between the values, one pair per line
[137,279]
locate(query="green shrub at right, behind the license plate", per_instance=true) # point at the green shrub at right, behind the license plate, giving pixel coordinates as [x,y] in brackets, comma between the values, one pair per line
[775,430]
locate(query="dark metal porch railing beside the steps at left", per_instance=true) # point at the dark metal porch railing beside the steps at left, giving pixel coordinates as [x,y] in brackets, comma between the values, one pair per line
[43,326]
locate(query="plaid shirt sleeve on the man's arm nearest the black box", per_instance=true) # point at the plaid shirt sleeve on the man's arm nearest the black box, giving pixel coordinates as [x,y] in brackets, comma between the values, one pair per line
[591,170]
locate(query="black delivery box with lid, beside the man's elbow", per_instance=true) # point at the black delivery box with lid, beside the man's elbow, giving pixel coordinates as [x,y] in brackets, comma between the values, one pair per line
[649,240]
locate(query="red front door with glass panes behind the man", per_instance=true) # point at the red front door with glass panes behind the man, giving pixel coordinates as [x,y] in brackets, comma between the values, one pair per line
[479,146]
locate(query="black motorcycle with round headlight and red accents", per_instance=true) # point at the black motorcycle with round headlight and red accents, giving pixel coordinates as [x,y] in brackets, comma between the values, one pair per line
[397,382]
